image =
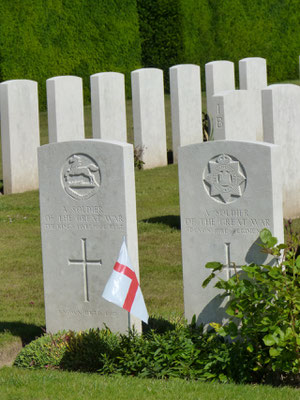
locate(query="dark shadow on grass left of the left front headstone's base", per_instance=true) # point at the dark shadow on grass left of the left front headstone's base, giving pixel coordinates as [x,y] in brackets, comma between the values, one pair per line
[27,332]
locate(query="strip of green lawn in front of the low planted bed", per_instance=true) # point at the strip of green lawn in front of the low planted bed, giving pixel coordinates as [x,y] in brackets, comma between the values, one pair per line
[48,385]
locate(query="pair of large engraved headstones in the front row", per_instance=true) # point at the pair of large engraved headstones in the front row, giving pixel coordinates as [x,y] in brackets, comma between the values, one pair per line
[229,191]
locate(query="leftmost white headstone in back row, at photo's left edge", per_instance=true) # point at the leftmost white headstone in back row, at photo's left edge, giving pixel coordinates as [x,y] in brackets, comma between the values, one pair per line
[20,136]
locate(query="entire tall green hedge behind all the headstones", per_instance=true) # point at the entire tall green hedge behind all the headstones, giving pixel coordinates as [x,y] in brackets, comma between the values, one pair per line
[40,39]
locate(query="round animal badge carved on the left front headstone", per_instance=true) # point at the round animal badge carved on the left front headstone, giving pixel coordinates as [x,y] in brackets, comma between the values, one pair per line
[81,177]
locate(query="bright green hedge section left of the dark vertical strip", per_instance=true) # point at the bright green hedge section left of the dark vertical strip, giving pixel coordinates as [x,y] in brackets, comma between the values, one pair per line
[40,39]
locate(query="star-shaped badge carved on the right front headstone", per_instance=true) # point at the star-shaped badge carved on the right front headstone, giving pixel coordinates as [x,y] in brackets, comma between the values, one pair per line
[224,179]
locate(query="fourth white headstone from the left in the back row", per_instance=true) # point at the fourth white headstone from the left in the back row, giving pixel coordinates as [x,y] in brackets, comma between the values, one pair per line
[148,106]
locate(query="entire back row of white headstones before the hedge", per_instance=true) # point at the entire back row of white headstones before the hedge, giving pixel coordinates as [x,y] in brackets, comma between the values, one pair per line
[253,113]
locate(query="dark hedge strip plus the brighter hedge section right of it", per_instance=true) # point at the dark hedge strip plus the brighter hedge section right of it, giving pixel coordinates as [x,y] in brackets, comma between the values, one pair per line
[200,31]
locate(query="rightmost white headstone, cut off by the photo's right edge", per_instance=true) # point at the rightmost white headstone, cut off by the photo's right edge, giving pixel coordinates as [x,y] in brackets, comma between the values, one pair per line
[281,121]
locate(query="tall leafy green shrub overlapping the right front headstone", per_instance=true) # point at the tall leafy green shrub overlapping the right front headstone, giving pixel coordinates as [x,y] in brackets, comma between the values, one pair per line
[264,306]
